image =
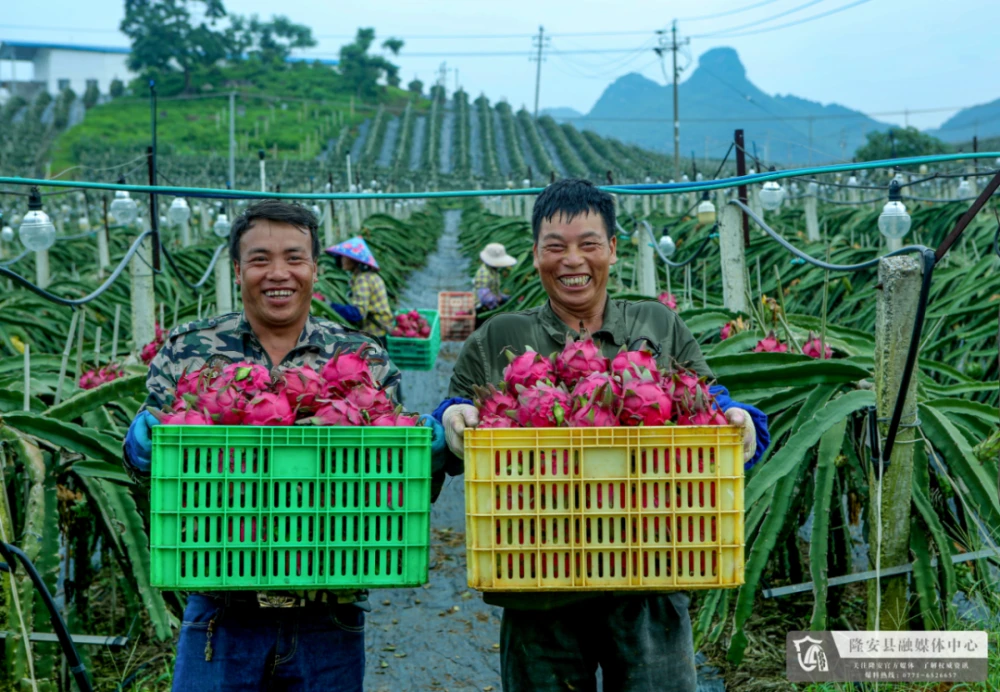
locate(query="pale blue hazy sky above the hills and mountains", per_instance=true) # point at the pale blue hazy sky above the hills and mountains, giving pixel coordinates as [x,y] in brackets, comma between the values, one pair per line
[879,56]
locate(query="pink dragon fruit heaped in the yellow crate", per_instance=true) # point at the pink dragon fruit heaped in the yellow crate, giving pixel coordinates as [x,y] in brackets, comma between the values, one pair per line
[580,387]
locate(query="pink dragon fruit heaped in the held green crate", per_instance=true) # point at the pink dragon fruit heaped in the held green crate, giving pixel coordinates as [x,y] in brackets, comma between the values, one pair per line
[342,393]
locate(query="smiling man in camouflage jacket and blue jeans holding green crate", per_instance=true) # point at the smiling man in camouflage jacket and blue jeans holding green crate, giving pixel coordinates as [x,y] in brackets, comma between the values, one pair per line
[246,640]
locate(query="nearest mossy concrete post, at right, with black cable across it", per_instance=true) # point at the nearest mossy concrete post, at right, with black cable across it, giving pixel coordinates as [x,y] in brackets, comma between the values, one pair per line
[895,313]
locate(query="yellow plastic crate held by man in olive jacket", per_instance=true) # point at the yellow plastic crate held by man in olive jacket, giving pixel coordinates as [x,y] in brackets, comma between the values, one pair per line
[582,509]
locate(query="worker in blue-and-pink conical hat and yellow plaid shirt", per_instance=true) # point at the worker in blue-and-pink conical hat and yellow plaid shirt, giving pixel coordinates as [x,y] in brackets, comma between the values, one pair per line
[368,303]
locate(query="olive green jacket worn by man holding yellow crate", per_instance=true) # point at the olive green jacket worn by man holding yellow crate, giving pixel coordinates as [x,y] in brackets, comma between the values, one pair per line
[626,323]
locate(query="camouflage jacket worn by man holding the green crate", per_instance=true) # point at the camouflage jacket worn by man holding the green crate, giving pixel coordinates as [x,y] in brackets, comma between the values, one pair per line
[228,339]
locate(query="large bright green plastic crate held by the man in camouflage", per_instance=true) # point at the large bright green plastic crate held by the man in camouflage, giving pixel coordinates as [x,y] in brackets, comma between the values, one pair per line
[274,508]
